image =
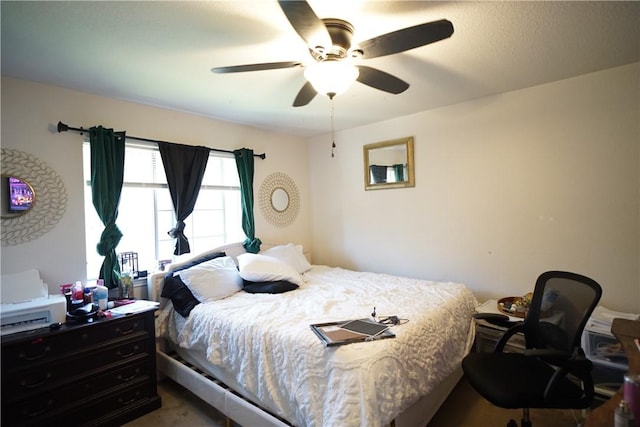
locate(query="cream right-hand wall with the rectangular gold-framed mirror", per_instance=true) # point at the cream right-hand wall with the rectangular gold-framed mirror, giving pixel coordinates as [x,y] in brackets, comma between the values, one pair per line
[507,187]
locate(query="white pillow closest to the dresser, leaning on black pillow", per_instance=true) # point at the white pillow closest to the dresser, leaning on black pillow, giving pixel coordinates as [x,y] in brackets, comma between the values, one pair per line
[212,280]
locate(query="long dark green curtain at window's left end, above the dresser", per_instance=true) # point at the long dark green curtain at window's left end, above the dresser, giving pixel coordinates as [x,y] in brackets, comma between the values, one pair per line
[107,175]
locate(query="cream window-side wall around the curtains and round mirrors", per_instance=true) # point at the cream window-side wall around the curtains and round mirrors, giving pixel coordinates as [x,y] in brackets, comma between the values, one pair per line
[30,113]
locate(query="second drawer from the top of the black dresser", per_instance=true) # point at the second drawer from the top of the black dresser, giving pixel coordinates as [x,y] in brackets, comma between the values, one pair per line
[74,369]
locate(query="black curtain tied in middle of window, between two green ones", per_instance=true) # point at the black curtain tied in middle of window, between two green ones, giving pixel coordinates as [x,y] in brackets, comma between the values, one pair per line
[184,166]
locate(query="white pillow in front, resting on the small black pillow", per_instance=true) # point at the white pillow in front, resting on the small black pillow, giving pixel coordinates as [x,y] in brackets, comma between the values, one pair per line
[262,268]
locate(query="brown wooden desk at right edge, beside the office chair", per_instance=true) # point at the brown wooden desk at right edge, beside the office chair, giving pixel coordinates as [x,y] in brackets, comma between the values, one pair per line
[625,331]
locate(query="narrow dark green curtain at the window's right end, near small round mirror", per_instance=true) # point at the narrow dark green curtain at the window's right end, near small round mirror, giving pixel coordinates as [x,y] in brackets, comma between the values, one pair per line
[244,163]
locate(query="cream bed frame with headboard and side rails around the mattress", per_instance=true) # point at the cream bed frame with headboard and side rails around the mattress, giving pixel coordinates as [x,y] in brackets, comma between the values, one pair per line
[194,377]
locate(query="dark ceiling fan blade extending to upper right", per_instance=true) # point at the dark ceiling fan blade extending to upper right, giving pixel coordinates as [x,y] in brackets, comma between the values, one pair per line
[407,38]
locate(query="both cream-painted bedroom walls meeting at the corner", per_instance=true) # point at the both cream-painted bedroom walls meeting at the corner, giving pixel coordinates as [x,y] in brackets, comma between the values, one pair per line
[506,186]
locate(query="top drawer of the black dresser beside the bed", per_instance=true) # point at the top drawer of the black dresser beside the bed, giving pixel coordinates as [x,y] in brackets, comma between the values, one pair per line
[45,346]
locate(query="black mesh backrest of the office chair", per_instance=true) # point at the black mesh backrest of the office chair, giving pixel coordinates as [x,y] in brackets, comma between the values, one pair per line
[560,308]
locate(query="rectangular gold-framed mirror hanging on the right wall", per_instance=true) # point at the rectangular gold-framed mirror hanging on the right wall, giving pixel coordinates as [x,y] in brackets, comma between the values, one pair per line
[389,164]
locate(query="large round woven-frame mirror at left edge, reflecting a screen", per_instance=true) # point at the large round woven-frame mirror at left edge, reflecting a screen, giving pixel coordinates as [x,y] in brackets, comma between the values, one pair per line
[40,201]
